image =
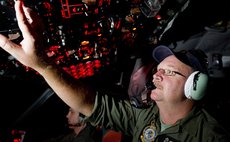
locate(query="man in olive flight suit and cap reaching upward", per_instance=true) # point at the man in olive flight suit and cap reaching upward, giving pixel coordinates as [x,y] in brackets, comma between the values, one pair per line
[172,117]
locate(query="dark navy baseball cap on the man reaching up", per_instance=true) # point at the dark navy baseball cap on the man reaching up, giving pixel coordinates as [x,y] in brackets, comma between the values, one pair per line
[193,58]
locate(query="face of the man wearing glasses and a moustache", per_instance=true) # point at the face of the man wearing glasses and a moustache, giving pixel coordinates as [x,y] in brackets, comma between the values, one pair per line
[169,80]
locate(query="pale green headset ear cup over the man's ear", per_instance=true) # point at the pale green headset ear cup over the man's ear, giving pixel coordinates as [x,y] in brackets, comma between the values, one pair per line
[196,85]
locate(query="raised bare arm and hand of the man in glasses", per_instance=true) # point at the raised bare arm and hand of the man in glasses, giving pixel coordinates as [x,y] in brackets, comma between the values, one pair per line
[31,53]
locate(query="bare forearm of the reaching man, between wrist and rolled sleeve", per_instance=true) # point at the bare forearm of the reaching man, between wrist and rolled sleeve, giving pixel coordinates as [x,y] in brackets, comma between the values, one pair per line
[73,92]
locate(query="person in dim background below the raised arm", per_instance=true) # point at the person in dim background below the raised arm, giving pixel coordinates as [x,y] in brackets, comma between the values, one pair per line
[82,131]
